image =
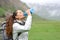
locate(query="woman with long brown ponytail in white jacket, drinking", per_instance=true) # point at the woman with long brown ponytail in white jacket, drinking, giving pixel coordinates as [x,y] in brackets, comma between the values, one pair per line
[13,28]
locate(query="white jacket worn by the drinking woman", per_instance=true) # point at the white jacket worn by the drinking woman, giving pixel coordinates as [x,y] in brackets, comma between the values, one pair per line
[24,29]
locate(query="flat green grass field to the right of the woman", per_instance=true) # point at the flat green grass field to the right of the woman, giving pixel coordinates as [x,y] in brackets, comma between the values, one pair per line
[44,30]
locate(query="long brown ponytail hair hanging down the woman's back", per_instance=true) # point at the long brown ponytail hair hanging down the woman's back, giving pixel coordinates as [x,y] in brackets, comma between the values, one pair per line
[9,23]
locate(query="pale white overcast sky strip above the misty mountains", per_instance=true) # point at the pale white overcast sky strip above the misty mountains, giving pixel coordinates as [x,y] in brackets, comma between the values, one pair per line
[41,1]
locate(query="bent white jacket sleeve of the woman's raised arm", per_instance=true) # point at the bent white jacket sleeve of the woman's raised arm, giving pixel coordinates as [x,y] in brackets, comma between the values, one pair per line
[26,27]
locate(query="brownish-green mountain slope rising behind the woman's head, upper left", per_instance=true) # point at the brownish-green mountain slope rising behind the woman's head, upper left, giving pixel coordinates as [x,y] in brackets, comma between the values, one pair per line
[11,5]
